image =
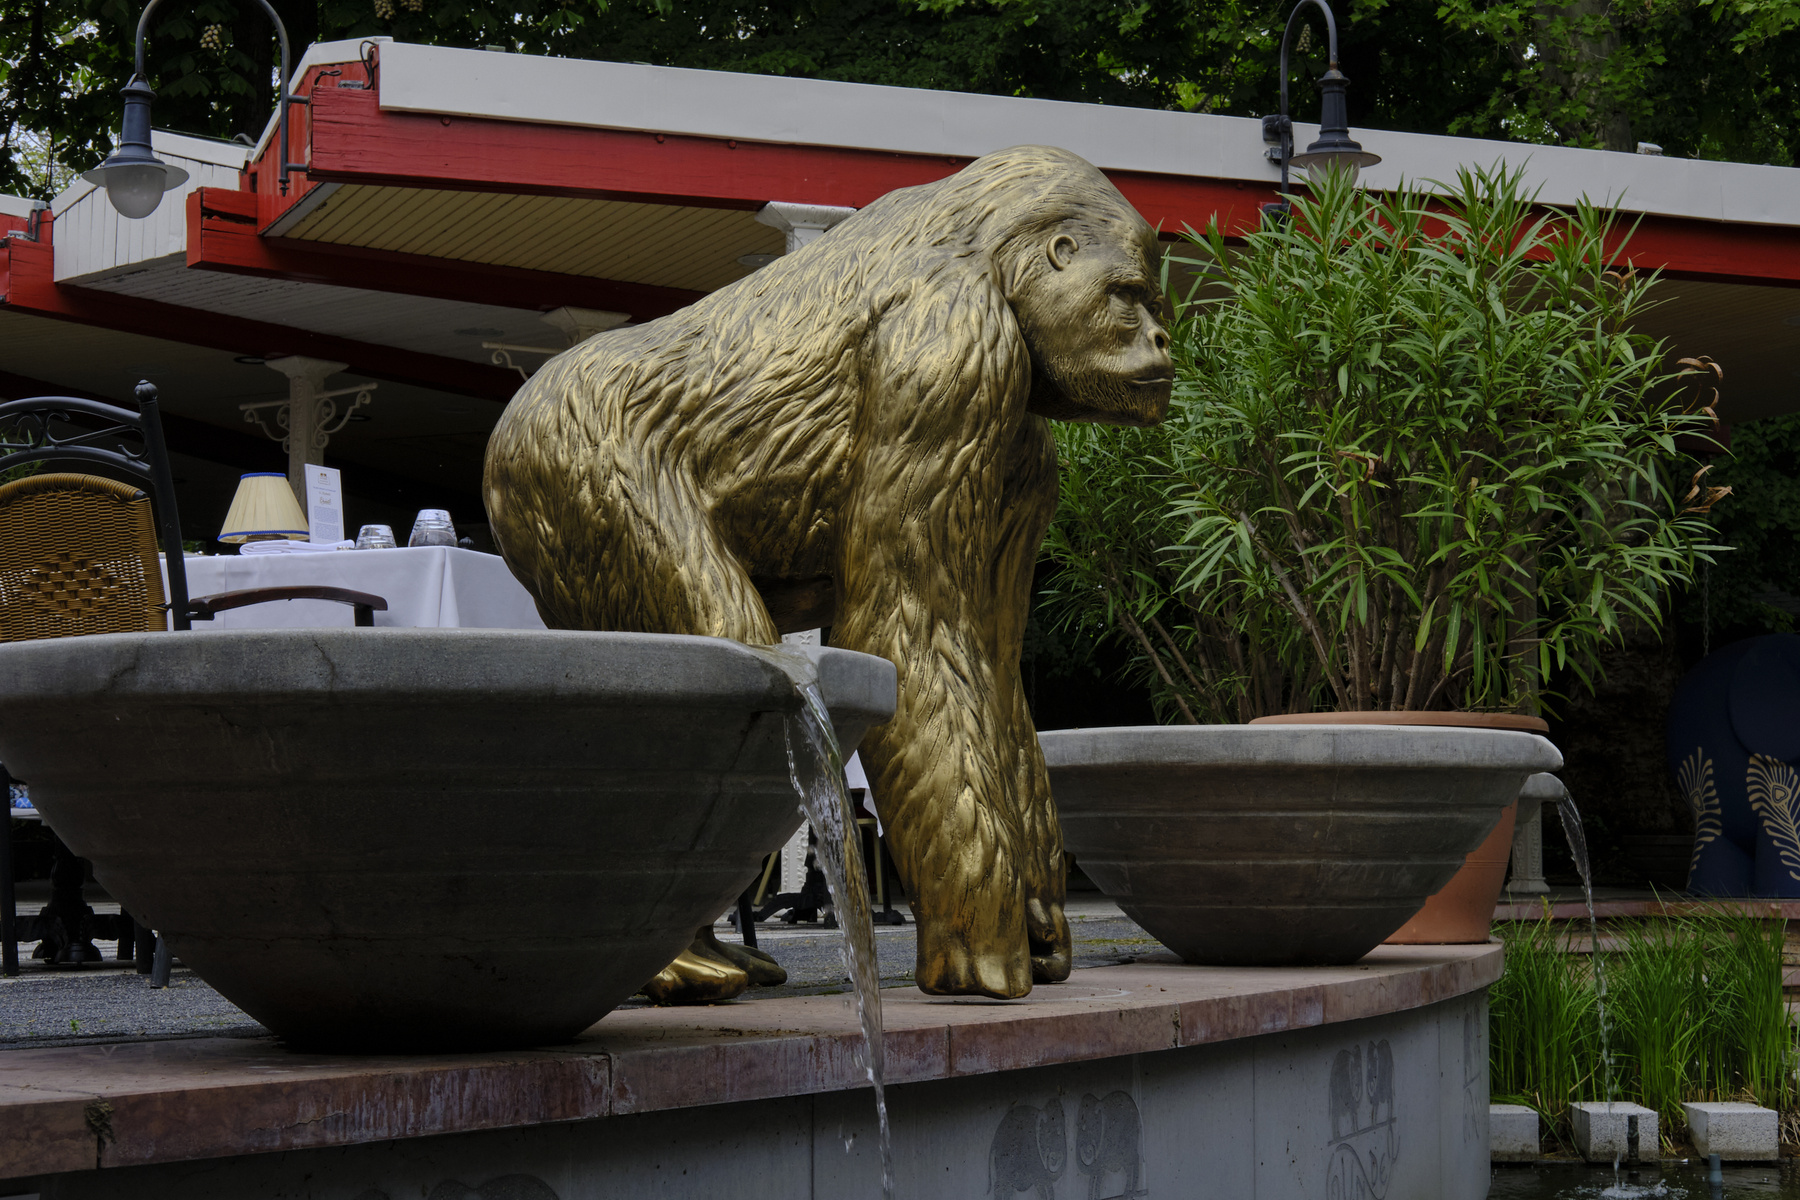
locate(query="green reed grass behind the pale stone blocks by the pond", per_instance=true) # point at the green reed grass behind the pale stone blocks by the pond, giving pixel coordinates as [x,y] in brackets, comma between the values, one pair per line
[1695,1012]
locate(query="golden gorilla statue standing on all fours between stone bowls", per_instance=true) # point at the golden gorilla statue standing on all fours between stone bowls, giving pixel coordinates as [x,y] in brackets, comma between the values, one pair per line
[856,438]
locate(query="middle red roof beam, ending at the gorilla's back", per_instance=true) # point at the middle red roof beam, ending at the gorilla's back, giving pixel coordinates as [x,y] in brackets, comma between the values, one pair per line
[222,237]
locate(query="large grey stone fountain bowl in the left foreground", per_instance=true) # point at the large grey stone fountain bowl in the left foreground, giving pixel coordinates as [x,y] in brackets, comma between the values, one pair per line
[420,839]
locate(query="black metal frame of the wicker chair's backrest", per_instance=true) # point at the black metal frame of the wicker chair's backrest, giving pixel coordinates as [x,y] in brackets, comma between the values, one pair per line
[49,429]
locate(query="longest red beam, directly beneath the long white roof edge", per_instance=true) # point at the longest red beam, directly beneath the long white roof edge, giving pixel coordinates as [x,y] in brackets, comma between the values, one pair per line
[355,141]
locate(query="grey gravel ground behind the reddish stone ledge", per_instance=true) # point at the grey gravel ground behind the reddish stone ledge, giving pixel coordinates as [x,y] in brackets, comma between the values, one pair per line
[46,1007]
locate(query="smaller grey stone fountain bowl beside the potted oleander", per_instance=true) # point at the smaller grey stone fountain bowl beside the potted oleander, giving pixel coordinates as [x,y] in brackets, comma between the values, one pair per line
[1281,845]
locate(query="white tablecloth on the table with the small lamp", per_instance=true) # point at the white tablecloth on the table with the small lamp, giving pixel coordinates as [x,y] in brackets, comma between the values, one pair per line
[426,587]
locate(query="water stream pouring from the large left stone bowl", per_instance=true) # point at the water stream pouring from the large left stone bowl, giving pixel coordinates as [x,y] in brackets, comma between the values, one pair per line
[816,766]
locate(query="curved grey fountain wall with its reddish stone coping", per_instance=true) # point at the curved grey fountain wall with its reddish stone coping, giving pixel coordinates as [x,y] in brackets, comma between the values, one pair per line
[1144,1080]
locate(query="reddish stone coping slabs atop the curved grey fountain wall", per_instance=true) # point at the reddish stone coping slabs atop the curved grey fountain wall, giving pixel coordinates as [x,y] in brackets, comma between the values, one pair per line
[71,1109]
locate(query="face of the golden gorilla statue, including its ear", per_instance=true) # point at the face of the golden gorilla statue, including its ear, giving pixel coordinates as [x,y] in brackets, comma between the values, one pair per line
[1090,312]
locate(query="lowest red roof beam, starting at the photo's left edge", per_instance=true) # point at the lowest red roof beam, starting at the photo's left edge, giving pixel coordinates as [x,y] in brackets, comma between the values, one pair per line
[26,287]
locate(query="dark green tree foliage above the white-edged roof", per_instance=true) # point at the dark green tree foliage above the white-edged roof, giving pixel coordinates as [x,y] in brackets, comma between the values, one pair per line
[1713,78]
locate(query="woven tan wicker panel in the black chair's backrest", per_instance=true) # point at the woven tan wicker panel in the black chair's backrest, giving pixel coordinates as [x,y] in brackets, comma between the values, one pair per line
[78,555]
